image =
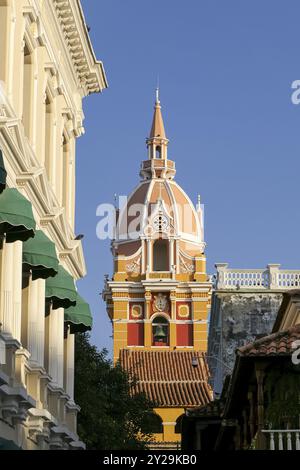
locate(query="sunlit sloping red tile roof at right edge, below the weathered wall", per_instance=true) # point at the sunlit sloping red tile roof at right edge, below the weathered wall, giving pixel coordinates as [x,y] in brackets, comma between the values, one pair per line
[276,344]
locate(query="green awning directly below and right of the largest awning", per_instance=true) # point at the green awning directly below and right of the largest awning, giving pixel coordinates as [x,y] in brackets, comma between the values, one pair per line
[39,255]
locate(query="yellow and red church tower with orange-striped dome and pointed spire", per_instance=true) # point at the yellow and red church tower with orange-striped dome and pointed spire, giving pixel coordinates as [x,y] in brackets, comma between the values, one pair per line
[159,295]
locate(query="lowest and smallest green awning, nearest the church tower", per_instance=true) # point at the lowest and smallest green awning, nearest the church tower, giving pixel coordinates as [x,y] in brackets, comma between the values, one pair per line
[79,317]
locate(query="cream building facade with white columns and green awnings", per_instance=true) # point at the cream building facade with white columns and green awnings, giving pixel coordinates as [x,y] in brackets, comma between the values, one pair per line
[47,67]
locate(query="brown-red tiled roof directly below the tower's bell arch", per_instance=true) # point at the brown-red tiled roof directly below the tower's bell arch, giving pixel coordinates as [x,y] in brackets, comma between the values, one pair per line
[168,377]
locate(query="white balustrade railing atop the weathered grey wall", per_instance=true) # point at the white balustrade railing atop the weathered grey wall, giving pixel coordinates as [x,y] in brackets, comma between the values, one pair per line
[270,278]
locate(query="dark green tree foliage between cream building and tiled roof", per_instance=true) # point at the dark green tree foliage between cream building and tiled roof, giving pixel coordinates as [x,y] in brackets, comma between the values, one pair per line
[111,416]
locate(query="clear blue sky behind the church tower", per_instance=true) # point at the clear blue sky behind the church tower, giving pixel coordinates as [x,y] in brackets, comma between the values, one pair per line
[225,70]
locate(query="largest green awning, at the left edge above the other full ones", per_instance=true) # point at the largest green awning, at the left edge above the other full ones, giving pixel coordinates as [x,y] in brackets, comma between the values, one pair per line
[16,217]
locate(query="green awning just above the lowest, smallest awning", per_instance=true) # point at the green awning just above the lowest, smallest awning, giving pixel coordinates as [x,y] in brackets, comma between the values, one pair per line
[61,289]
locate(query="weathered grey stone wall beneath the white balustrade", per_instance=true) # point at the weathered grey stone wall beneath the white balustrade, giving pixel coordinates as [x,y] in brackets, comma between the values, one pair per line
[237,319]
